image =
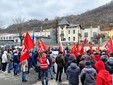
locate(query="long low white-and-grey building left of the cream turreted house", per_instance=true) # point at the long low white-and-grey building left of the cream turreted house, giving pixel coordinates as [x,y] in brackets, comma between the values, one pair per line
[47,34]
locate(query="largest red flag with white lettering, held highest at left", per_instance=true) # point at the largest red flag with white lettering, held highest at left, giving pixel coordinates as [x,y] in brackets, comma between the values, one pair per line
[27,45]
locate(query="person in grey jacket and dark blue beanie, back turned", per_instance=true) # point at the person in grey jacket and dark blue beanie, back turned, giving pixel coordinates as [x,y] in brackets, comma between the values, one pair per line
[88,74]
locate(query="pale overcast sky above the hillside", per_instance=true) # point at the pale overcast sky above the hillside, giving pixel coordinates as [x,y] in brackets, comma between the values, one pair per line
[41,9]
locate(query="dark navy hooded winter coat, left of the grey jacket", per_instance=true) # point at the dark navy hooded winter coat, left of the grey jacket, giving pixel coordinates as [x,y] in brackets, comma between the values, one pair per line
[73,74]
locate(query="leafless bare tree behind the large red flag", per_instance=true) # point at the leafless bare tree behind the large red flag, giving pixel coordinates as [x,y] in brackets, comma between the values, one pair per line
[20,24]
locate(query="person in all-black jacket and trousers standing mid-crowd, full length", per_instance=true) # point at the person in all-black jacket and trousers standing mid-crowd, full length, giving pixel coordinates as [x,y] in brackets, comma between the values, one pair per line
[60,64]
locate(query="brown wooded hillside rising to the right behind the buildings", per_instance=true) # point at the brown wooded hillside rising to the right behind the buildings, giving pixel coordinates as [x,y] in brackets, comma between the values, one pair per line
[102,16]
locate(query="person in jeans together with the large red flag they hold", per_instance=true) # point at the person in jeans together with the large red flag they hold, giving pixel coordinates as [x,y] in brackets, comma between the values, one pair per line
[27,45]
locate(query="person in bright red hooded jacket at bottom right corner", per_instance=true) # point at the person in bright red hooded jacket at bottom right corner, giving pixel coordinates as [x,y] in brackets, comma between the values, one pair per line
[103,77]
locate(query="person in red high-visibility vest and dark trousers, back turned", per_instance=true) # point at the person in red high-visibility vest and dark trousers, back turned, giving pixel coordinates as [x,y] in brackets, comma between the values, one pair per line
[44,62]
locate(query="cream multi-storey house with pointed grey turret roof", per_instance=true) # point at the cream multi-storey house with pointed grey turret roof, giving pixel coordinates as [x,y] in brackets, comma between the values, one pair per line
[68,32]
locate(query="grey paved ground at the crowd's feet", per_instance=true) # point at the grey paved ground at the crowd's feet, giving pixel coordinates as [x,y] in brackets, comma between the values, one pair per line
[9,79]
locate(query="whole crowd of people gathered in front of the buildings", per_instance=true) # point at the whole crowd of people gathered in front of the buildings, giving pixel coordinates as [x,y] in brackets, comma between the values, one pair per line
[93,68]
